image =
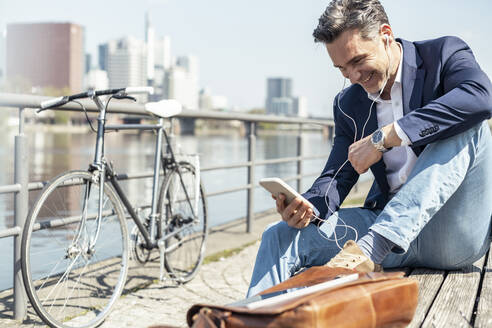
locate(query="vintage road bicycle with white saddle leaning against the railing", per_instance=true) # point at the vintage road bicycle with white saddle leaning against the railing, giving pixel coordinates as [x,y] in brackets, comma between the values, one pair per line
[75,242]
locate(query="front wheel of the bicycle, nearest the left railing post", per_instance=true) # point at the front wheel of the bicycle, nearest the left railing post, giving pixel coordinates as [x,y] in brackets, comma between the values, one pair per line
[74,264]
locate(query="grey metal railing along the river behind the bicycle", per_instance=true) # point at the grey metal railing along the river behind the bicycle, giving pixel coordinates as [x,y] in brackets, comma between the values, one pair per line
[22,186]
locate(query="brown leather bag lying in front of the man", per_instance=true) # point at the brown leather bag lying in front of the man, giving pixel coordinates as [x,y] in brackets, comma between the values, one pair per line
[373,300]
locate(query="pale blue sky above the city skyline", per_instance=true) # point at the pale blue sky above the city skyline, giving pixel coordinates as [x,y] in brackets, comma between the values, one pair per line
[241,43]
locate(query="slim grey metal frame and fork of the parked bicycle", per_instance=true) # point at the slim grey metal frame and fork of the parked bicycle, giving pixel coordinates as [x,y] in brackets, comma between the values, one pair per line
[106,171]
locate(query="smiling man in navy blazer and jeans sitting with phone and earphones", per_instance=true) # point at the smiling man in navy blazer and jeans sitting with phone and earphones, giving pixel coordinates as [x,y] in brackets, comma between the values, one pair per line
[415,115]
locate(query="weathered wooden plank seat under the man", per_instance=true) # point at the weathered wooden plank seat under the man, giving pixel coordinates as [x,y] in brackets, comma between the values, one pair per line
[455,298]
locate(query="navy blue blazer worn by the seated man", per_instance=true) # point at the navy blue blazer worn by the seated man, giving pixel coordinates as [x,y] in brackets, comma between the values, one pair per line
[444,93]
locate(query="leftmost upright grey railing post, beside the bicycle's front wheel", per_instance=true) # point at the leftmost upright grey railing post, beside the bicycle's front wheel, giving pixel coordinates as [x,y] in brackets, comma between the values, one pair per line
[21,204]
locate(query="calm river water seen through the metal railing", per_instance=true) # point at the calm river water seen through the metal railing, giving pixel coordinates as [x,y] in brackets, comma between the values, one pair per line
[53,153]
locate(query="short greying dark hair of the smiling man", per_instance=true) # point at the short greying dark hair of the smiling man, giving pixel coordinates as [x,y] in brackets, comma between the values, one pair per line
[343,15]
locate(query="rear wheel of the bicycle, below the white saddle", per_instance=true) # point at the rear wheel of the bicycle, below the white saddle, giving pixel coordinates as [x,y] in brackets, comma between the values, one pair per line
[185,248]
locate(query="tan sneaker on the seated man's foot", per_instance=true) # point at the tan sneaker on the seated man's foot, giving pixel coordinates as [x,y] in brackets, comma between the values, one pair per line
[352,257]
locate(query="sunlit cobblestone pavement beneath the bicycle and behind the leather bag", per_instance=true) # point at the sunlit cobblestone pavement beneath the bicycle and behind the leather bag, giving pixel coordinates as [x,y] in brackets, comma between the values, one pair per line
[220,282]
